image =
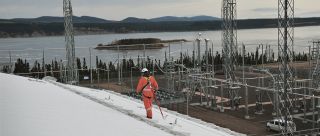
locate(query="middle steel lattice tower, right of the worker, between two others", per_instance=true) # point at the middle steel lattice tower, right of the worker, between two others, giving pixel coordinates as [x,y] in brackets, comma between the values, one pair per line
[229,44]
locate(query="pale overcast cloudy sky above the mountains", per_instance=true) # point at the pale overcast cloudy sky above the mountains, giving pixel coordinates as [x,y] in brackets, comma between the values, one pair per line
[120,9]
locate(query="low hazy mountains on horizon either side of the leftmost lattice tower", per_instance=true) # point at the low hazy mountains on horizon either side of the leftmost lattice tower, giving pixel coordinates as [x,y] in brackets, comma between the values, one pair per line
[51,19]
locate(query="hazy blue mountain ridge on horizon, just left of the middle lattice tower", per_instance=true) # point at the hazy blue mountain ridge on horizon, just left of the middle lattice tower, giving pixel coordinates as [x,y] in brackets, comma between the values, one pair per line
[174,18]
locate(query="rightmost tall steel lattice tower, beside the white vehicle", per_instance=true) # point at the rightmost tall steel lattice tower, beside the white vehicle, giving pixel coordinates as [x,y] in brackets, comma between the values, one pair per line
[286,75]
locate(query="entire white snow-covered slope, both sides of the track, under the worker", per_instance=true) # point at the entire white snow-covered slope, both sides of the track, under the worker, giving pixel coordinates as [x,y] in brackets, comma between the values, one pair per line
[31,107]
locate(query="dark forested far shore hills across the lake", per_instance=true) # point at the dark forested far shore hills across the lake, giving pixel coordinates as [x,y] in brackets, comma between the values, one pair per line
[9,28]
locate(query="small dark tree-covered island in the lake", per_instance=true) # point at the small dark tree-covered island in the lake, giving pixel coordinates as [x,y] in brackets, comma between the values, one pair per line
[138,44]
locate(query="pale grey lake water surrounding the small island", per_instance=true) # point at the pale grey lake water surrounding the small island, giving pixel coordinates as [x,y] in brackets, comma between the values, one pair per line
[54,47]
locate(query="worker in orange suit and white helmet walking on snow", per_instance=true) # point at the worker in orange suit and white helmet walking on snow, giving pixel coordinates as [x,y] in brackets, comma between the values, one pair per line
[147,85]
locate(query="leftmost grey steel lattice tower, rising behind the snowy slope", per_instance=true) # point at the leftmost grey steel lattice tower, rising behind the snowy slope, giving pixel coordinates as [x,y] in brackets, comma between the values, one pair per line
[71,76]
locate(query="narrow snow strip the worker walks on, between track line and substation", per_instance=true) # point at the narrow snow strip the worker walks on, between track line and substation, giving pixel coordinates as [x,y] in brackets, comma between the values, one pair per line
[174,123]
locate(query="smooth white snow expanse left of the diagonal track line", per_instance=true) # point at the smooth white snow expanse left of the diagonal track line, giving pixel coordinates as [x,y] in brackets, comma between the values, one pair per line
[30,107]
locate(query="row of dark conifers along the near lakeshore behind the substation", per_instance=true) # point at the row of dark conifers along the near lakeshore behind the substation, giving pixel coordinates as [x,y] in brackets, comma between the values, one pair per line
[104,69]
